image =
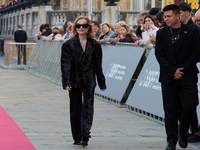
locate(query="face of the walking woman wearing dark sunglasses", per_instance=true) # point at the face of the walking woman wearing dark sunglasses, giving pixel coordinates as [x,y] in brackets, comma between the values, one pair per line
[84,27]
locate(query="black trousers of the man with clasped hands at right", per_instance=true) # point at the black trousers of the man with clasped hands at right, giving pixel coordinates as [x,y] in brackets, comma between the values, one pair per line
[176,95]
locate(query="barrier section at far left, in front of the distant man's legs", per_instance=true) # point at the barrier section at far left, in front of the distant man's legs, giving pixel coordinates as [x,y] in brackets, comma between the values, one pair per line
[17,54]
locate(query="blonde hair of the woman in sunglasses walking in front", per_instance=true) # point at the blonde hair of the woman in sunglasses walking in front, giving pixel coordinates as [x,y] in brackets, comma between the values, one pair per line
[90,31]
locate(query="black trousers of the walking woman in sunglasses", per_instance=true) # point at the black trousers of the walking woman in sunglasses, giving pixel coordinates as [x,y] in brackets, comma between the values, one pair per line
[81,112]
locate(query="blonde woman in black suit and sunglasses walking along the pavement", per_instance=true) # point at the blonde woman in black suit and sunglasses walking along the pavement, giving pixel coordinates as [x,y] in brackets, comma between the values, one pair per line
[81,60]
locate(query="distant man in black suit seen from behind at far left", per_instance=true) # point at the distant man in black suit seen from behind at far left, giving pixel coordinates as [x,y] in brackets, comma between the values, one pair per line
[20,36]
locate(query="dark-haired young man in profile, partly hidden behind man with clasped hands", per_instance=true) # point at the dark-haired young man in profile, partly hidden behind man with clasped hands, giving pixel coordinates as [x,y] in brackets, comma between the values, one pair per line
[185,18]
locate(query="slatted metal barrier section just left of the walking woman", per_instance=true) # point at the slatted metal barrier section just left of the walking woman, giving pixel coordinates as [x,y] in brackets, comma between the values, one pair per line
[44,60]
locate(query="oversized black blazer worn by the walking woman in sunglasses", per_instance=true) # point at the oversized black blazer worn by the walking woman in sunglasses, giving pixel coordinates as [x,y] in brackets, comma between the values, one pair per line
[79,68]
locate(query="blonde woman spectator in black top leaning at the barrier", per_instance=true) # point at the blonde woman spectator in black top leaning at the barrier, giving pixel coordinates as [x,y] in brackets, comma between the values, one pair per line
[126,34]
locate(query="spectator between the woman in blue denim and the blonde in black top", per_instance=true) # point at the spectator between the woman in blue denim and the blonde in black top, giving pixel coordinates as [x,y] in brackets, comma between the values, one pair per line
[116,35]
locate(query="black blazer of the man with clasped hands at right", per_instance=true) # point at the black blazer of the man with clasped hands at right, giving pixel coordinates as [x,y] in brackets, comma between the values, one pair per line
[185,56]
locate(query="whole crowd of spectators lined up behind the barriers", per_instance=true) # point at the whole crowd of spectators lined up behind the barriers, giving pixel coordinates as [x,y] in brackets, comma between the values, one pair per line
[143,33]
